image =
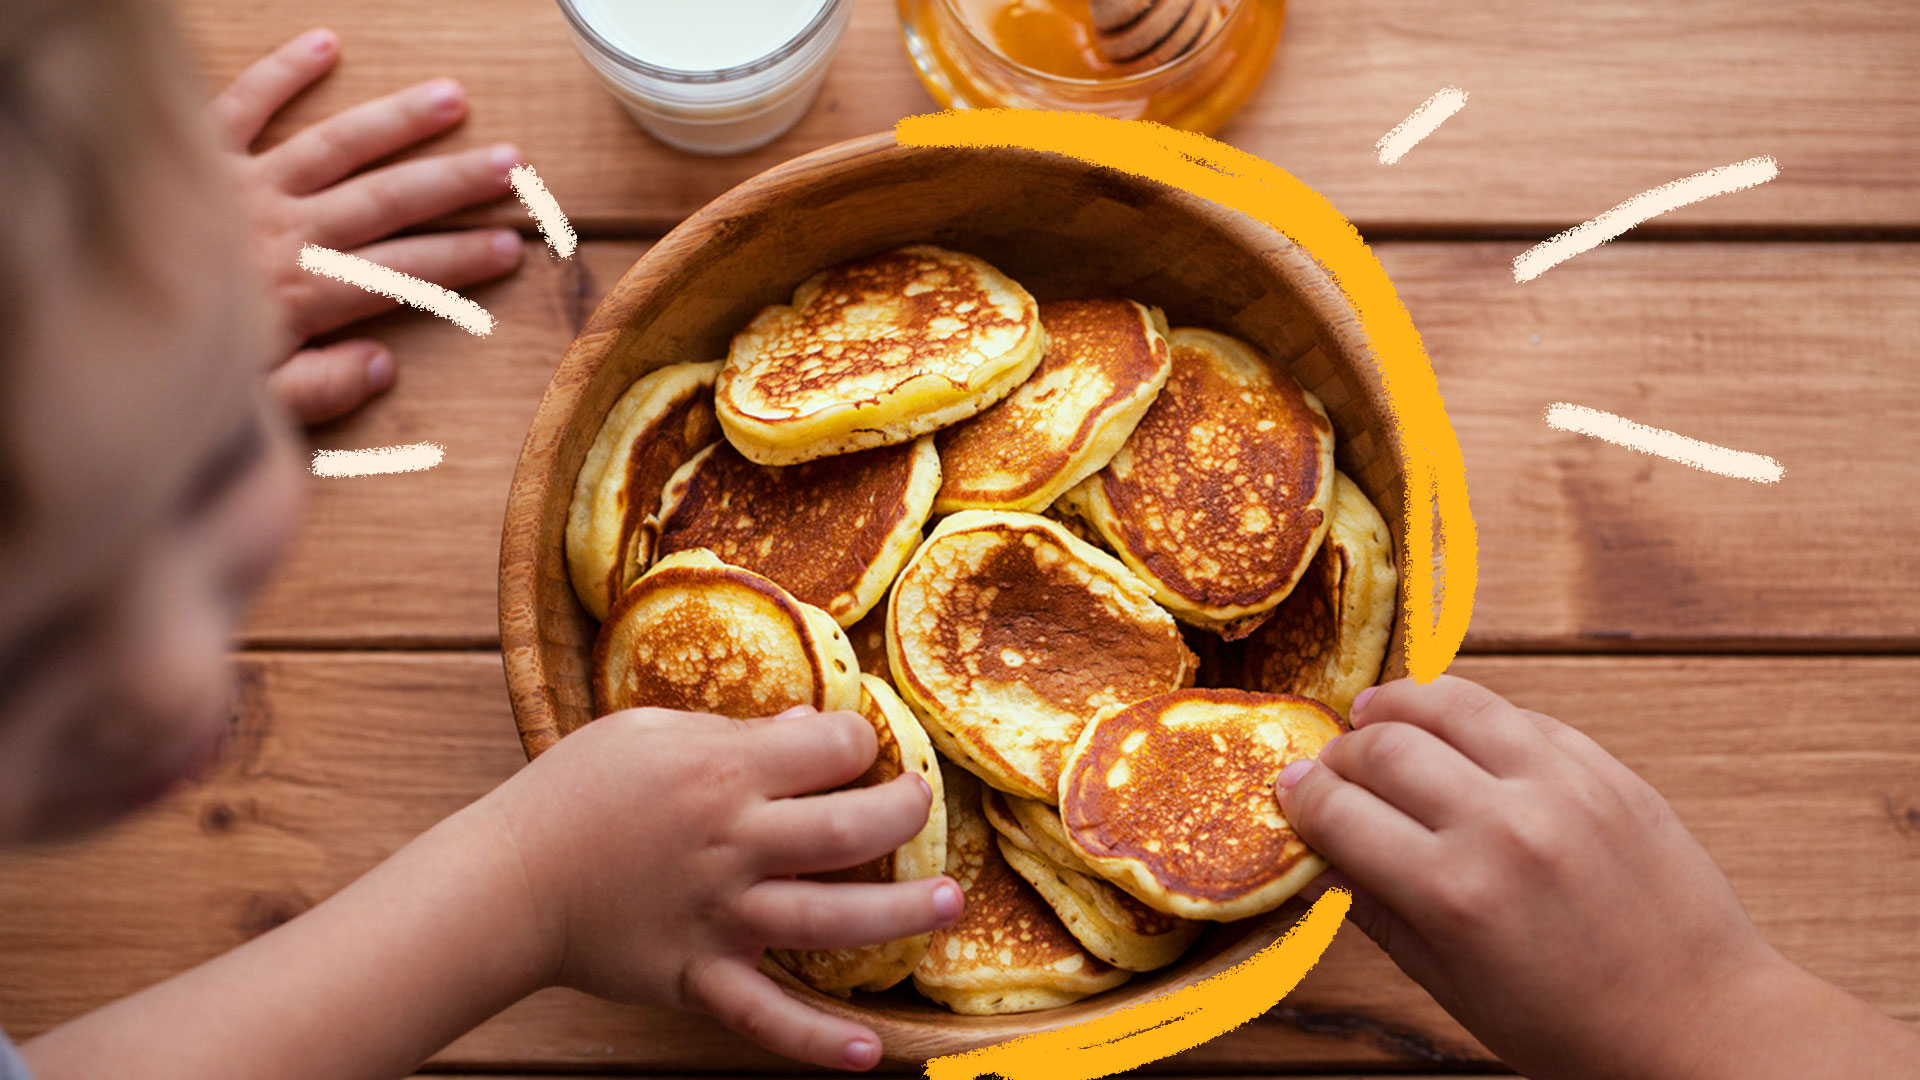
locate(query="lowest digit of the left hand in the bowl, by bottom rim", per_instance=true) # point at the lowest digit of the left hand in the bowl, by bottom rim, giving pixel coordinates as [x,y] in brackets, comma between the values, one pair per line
[750,1004]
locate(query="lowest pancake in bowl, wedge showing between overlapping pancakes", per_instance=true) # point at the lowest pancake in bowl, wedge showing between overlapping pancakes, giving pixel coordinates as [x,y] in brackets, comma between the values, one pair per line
[1007,952]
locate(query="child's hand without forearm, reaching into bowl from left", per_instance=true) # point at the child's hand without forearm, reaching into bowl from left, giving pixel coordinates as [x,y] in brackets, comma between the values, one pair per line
[661,850]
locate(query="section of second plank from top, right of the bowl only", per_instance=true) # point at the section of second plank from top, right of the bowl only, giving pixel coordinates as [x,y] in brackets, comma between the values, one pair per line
[1787,351]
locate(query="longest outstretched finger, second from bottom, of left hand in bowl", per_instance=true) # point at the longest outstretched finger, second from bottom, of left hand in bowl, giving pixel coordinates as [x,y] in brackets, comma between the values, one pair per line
[819,916]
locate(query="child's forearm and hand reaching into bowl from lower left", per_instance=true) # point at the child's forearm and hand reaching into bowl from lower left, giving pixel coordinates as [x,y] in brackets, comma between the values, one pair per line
[646,858]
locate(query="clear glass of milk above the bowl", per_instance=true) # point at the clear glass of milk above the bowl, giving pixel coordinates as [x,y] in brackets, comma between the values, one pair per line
[709,76]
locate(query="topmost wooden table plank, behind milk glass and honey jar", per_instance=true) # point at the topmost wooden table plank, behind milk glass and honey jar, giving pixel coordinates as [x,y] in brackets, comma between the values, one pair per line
[1572,110]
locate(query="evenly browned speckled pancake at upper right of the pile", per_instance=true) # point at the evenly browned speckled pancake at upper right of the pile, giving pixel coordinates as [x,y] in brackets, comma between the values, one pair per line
[1224,493]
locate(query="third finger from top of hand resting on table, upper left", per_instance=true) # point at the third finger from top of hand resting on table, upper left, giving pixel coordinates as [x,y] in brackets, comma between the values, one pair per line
[387,201]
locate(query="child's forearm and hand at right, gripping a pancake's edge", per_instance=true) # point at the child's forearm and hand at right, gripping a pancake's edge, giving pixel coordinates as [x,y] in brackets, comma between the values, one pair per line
[1554,904]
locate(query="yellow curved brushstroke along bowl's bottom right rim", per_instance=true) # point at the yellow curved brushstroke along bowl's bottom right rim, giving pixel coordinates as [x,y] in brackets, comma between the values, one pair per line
[1164,1025]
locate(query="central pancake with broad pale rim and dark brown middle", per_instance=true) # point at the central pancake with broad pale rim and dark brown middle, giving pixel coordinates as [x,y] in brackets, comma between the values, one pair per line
[1007,635]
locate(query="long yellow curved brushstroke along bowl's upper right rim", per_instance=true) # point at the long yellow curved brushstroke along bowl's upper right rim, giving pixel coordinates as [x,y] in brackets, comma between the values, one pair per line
[1195,164]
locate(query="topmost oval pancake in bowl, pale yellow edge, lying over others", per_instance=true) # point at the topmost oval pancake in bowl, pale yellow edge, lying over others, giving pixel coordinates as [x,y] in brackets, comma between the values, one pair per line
[876,353]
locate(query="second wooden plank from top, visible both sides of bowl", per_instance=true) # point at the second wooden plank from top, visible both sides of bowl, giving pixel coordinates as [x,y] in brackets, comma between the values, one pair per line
[1790,351]
